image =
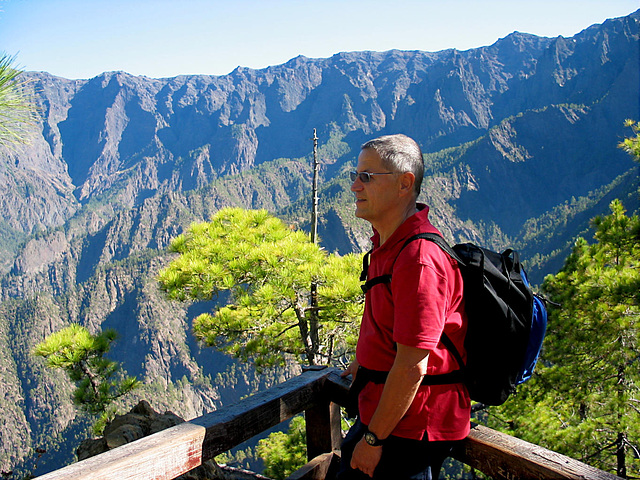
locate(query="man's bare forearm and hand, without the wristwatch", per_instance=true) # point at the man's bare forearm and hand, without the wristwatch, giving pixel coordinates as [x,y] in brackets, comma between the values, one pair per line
[402,383]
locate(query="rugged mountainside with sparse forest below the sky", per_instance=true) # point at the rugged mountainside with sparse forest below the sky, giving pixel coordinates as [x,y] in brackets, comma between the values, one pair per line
[520,140]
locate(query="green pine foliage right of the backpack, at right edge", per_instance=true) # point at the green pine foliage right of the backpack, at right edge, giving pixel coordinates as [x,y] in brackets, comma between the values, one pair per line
[585,402]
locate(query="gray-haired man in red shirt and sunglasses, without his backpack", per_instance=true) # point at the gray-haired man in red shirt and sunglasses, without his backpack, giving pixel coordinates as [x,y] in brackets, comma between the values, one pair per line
[405,429]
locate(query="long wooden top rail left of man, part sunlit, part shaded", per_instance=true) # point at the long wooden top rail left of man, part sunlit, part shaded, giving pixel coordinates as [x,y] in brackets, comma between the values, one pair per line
[174,451]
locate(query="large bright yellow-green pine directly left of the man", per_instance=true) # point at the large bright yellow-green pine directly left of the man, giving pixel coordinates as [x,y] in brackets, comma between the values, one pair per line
[268,269]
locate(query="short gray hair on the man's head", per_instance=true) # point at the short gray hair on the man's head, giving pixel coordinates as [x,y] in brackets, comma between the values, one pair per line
[399,153]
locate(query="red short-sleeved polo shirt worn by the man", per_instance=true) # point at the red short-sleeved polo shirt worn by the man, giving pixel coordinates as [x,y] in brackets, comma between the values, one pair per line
[423,299]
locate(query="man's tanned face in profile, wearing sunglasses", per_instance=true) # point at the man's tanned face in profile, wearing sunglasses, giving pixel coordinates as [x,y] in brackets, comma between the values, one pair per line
[375,199]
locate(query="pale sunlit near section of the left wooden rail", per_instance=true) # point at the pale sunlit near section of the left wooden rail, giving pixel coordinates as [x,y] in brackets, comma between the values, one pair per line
[161,456]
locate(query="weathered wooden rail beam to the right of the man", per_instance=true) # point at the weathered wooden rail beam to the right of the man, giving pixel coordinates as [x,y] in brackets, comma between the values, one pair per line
[502,456]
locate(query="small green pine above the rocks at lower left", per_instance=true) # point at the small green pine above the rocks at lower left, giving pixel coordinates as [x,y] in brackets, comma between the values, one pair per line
[81,355]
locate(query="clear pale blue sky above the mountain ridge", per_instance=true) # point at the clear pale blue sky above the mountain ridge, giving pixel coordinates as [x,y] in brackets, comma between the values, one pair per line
[165,38]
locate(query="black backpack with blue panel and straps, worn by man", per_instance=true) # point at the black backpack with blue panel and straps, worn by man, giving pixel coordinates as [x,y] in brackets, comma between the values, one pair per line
[507,321]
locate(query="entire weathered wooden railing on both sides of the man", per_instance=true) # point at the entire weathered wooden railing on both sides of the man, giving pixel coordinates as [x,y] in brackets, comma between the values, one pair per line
[318,393]
